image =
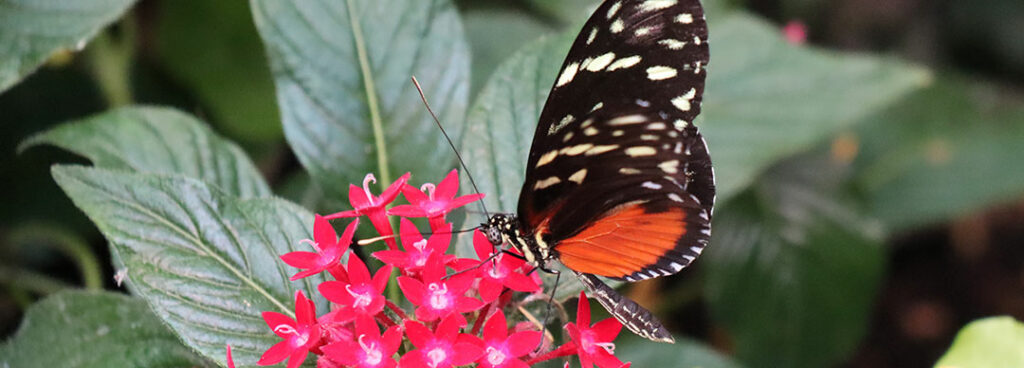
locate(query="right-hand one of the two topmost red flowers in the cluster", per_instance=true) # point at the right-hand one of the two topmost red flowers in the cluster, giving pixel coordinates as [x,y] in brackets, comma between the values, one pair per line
[437,202]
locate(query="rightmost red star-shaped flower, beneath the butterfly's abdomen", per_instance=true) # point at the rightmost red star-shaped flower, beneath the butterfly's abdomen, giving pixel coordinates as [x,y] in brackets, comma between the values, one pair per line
[593,344]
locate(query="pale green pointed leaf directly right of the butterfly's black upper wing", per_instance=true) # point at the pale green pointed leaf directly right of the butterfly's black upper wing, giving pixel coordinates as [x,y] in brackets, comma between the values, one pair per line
[767,100]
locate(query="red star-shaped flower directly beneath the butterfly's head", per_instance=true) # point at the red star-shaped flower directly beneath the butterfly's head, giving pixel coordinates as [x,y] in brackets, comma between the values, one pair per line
[501,272]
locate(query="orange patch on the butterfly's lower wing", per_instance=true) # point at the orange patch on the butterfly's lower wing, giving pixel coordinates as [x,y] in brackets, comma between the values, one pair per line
[624,242]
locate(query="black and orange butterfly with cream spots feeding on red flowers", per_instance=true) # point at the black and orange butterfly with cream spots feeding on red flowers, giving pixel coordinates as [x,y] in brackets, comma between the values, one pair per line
[619,182]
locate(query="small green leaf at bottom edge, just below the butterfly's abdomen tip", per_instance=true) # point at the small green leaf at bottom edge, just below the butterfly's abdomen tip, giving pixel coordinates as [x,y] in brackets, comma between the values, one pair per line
[685,354]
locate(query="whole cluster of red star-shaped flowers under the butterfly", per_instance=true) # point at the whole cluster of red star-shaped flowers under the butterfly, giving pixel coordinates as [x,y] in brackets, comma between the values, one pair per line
[445,294]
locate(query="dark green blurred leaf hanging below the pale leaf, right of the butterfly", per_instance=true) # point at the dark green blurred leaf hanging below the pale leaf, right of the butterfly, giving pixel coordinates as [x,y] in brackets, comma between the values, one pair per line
[793,268]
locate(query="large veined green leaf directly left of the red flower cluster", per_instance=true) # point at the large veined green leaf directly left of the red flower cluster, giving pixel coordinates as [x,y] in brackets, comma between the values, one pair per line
[207,263]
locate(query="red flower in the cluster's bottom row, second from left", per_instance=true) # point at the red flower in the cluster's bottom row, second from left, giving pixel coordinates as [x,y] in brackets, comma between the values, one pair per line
[369,349]
